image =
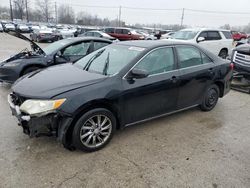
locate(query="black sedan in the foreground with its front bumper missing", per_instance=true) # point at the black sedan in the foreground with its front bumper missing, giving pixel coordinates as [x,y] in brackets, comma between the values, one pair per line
[117,86]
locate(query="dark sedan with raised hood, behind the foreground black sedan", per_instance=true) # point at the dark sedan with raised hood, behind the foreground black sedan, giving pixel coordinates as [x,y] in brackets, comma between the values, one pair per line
[68,50]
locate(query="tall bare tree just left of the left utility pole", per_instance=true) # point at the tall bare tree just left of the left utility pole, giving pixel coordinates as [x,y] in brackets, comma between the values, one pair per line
[44,7]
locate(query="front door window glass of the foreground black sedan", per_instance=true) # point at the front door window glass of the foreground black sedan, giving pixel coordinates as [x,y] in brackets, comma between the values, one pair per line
[158,61]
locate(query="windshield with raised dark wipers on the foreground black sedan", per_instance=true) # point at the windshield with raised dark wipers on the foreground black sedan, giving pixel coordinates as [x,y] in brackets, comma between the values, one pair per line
[109,60]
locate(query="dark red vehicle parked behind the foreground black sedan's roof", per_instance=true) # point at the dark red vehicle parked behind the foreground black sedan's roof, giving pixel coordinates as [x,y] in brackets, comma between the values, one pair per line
[123,33]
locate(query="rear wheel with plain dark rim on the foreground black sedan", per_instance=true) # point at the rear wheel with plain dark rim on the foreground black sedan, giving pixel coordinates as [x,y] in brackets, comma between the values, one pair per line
[211,98]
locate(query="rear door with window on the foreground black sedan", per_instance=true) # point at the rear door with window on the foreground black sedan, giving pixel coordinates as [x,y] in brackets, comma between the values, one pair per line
[196,74]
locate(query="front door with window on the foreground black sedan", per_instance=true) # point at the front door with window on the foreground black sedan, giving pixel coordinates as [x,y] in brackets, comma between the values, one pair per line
[156,94]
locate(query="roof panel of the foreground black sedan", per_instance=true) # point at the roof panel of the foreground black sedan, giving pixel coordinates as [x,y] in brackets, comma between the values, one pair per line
[153,43]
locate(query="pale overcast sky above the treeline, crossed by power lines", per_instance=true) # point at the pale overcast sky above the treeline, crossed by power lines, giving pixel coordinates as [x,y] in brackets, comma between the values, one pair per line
[132,16]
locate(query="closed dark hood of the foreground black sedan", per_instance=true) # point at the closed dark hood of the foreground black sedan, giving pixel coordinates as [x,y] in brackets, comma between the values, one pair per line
[53,81]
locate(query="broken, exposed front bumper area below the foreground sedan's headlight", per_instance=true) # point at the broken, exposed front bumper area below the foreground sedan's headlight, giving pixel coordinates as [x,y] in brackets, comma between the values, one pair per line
[54,124]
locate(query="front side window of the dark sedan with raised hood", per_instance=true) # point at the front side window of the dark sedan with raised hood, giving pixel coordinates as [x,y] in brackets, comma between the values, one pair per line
[76,50]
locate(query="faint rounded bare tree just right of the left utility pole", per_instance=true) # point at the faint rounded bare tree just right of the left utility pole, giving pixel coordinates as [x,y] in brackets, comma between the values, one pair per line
[66,14]
